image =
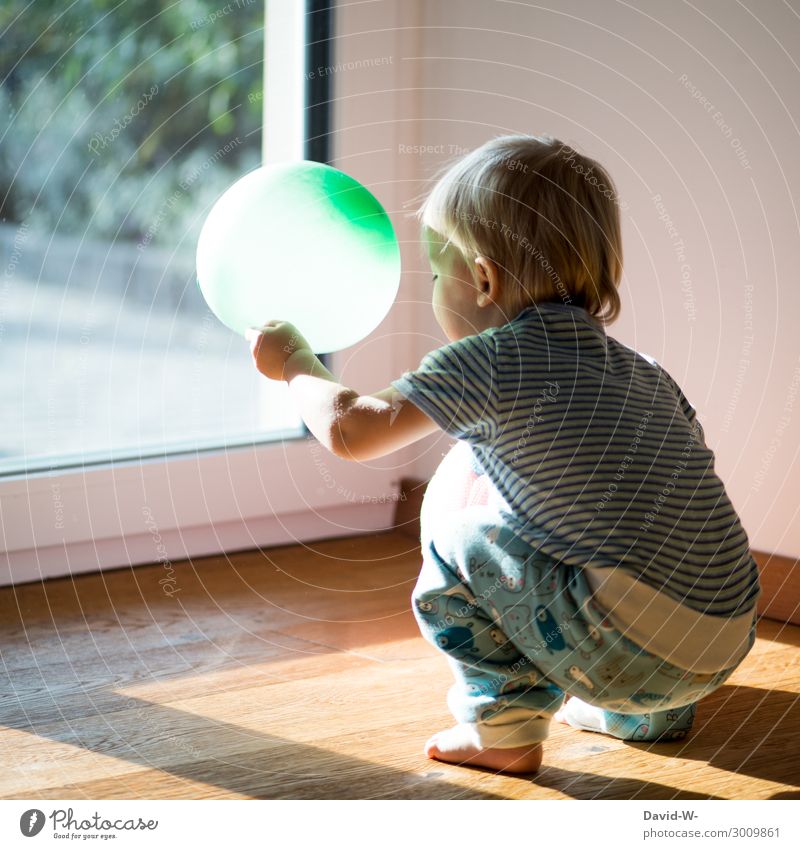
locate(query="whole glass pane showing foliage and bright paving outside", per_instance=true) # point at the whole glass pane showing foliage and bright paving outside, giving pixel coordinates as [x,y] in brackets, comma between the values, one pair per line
[123,122]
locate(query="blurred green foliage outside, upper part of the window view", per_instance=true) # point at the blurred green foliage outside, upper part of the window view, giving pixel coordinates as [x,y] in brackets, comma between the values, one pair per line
[125,119]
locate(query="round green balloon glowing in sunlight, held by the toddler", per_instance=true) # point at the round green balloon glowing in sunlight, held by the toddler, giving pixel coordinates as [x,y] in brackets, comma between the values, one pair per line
[305,243]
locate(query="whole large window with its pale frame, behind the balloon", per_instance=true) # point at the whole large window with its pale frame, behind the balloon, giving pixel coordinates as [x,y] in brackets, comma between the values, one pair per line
[149,491]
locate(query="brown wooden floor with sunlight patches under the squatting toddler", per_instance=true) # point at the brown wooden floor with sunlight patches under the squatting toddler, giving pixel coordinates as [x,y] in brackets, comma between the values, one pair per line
[299,673]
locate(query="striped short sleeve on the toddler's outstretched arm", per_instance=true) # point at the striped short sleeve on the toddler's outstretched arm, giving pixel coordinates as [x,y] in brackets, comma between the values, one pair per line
[456,386]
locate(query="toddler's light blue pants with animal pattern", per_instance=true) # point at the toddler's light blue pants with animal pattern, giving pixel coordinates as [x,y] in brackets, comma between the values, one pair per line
[521,630]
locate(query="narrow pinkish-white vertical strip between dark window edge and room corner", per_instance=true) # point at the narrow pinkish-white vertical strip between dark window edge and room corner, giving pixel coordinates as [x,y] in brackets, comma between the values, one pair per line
[377,98]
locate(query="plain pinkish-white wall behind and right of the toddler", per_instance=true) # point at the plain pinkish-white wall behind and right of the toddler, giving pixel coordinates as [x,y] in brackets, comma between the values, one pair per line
[623,83]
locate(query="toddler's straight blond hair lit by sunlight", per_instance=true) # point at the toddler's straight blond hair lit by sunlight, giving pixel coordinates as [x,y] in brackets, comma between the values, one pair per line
[544,213]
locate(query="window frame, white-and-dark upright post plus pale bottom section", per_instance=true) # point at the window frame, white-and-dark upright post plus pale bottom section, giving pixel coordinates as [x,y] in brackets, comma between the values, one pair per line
[172,506]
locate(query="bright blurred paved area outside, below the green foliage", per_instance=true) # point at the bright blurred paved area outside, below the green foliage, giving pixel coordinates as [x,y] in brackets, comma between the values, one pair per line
[84,372]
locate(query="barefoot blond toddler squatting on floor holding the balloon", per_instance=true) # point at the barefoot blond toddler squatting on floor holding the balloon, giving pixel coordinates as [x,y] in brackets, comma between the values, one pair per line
[575,539]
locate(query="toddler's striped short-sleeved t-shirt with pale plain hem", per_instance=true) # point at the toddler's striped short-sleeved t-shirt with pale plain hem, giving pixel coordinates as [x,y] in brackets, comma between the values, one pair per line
[601,462]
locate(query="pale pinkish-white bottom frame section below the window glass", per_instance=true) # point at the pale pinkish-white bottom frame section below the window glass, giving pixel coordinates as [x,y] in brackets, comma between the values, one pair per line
[172,508]
